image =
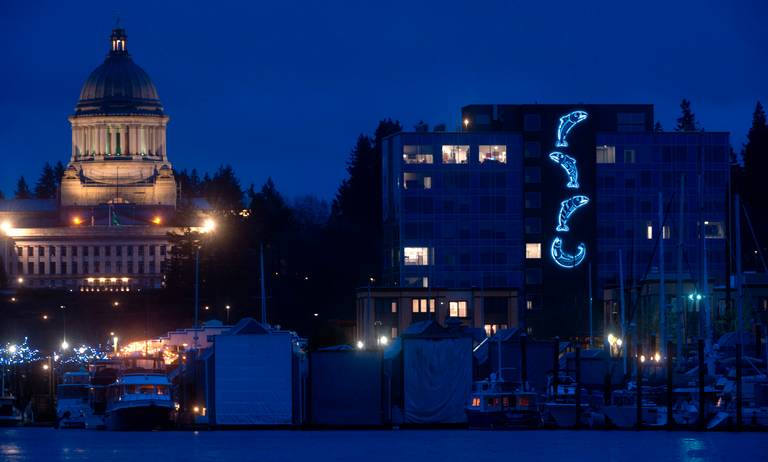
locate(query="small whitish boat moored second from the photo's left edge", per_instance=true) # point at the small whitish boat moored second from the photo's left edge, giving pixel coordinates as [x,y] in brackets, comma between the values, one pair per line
[73,406]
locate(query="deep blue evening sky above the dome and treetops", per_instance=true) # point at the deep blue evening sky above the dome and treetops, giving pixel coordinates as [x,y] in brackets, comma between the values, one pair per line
[282,89]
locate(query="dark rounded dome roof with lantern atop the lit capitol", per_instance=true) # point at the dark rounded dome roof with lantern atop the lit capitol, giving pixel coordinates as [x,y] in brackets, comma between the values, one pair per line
[118,86]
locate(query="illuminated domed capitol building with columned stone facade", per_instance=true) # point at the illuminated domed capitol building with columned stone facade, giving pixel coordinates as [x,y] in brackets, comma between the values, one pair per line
[108,228]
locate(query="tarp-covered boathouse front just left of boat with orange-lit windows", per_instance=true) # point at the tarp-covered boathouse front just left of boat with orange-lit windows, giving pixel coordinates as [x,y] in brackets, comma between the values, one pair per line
[437,379]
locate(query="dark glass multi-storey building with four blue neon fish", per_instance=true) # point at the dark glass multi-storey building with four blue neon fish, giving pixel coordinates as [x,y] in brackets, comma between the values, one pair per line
[538,200]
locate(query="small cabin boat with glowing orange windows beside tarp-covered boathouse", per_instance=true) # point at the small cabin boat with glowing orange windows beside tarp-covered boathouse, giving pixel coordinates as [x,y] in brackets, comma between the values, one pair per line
[499,404]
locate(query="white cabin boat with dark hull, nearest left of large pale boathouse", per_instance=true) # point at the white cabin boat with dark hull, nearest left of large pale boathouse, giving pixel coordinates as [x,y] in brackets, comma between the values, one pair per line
[139,400]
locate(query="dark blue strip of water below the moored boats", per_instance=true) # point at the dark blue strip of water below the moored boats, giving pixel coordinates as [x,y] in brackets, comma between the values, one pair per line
[47,444]
